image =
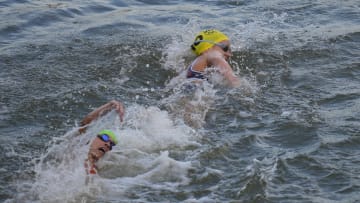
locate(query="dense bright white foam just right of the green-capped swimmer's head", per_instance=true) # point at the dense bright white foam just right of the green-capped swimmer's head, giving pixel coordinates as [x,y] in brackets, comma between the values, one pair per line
[151,129]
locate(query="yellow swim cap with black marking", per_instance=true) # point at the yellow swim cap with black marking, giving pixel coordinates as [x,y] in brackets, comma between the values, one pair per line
[206,39]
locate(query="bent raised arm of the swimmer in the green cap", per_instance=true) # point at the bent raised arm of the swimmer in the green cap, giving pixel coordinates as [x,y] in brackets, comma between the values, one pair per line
[102,110]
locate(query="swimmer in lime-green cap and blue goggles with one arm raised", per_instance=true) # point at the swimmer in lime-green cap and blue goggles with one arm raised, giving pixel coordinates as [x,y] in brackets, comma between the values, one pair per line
[105,139]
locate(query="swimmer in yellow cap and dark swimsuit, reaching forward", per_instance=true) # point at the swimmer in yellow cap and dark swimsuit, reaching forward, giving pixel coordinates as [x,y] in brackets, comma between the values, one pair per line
[212,48]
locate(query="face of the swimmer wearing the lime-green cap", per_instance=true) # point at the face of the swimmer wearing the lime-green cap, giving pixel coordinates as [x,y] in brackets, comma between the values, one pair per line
[99,147]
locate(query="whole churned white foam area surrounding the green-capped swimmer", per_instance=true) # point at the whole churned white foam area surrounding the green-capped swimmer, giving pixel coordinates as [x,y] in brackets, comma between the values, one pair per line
[141,159]
